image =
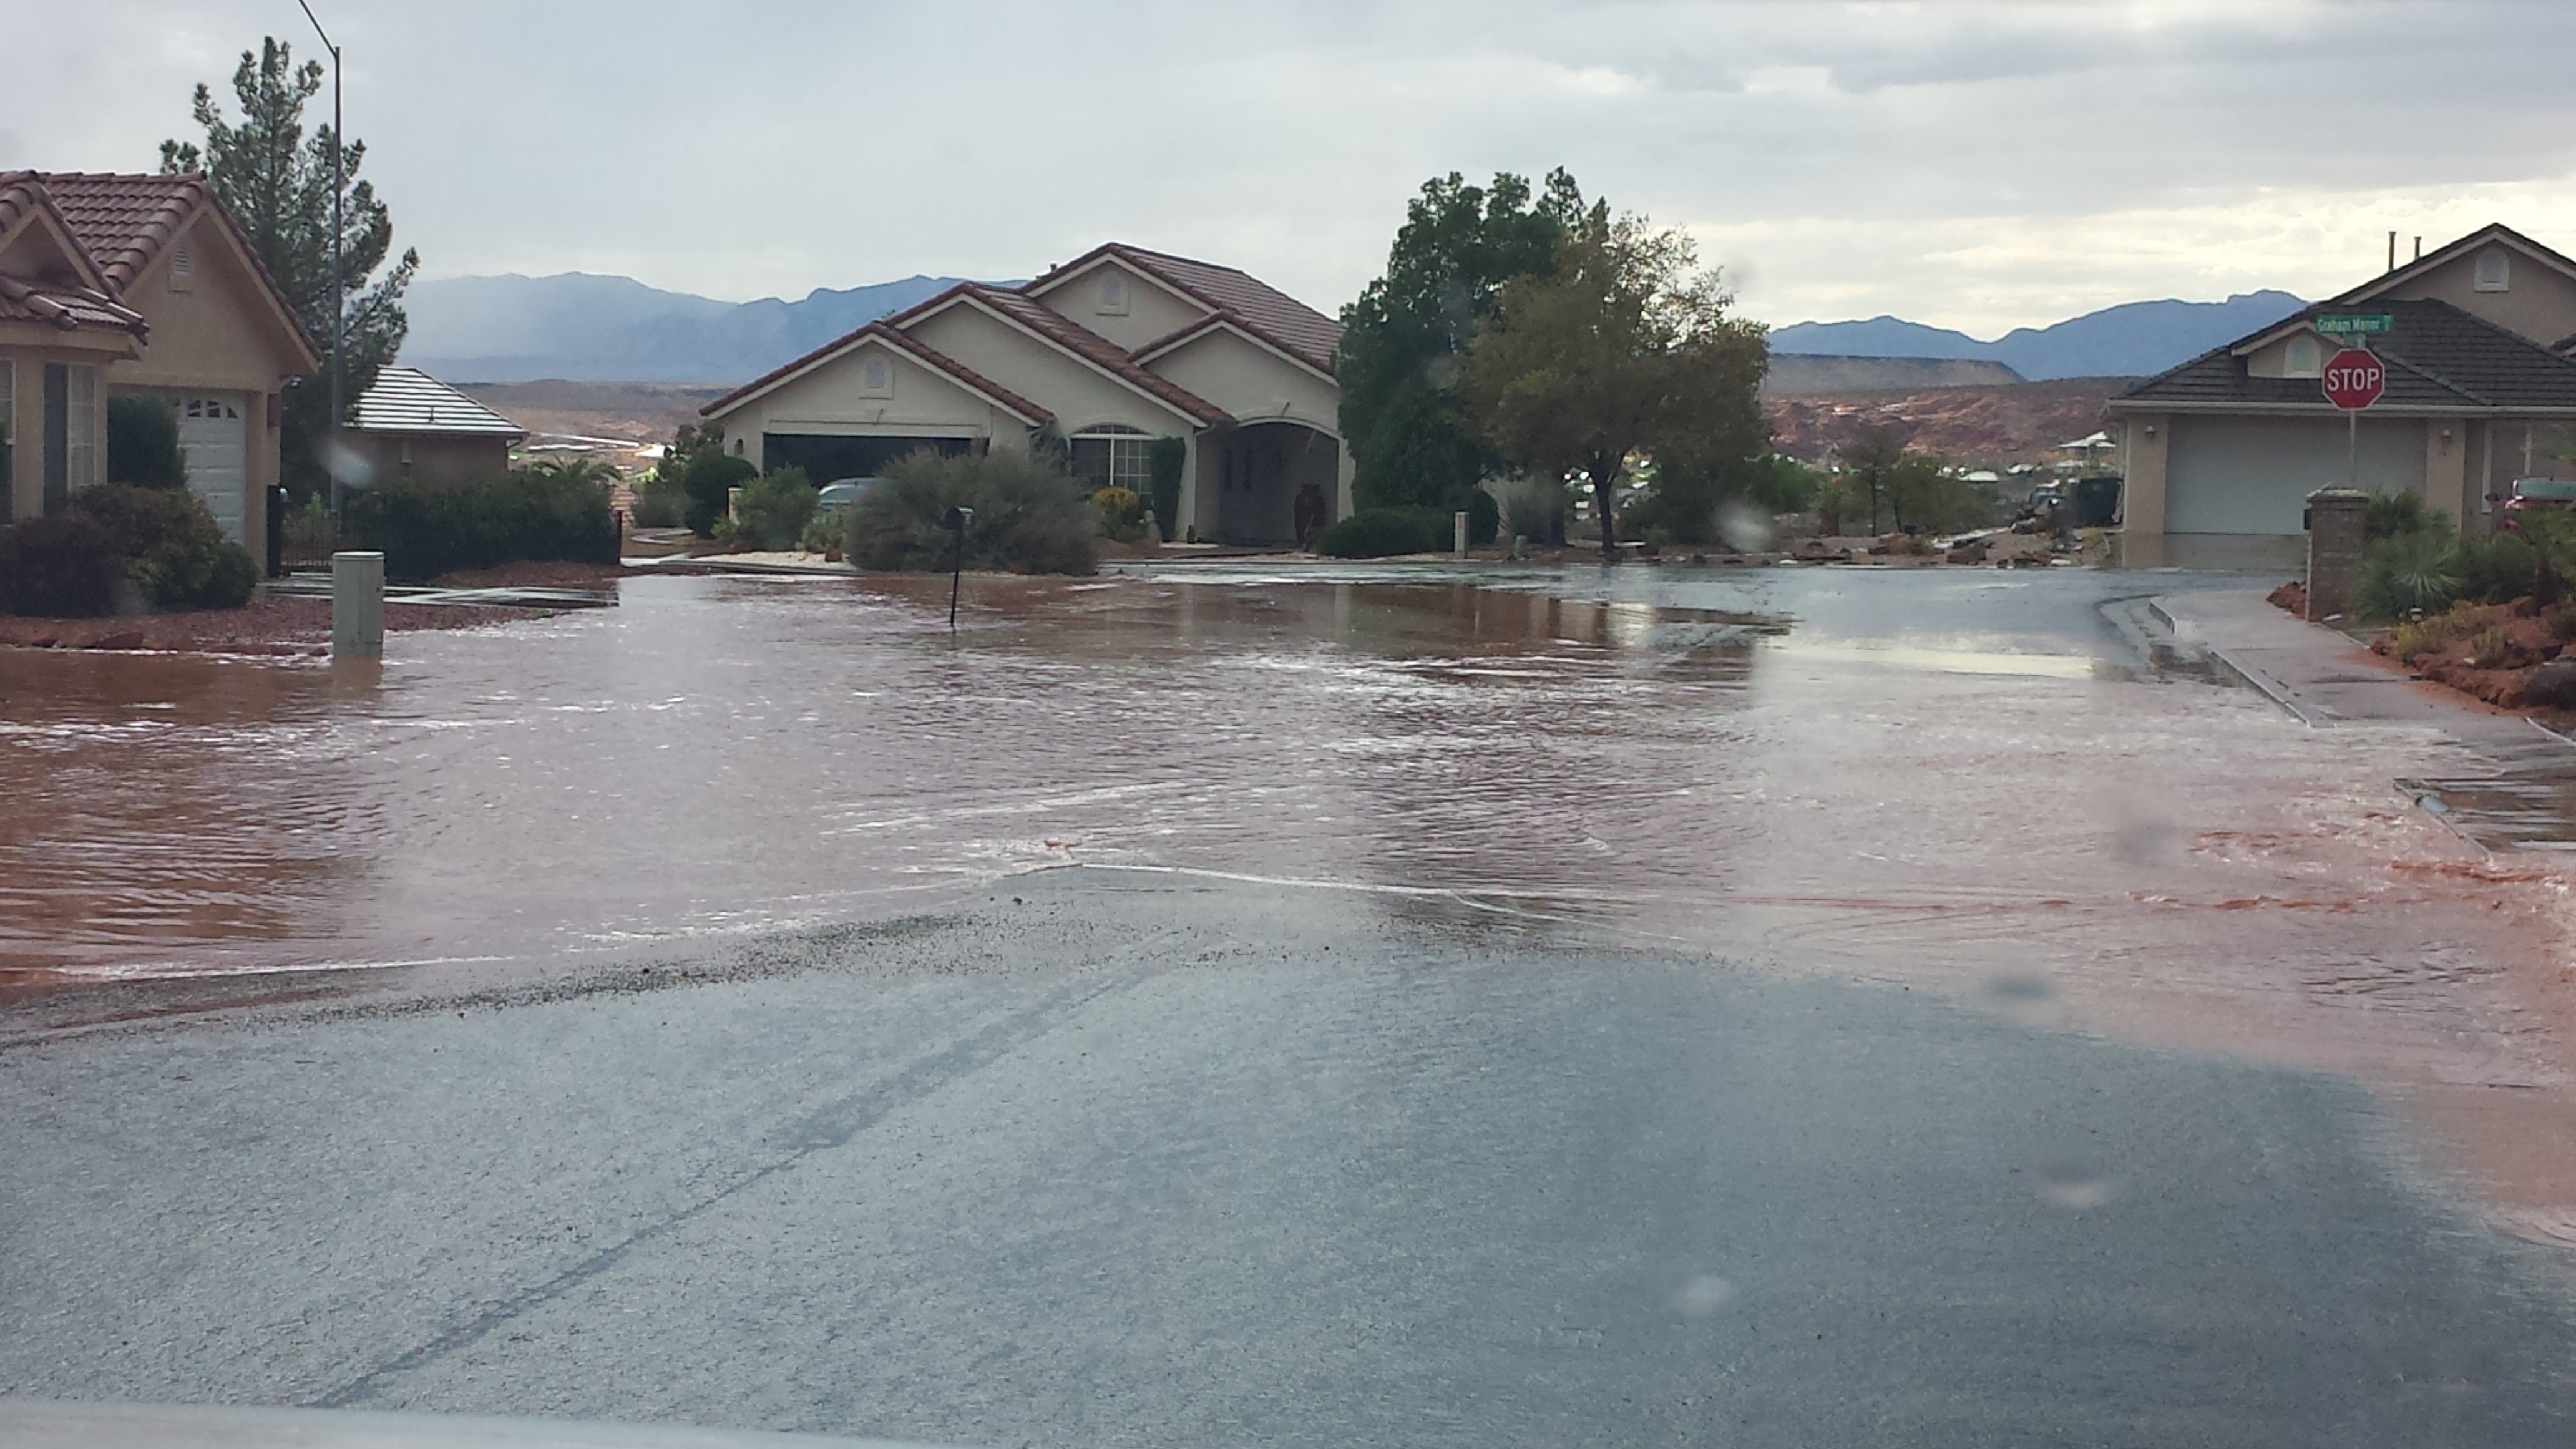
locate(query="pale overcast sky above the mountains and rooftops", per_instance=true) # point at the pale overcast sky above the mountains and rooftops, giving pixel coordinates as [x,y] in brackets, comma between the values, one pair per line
[1972,164]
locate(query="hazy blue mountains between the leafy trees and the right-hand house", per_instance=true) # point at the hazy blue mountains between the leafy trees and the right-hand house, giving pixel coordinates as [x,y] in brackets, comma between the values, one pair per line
[2137,339]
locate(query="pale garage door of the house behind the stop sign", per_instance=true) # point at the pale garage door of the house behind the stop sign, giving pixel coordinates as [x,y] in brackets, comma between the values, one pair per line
[2253,476]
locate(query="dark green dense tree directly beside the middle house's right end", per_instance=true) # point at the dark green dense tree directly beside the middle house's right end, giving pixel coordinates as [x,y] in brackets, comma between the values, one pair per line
[1405,334]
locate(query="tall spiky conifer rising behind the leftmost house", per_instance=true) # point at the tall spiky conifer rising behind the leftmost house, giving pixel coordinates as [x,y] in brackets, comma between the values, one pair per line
[277,182]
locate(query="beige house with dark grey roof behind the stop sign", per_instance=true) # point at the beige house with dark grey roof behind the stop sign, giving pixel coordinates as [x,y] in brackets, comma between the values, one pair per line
[2224,450]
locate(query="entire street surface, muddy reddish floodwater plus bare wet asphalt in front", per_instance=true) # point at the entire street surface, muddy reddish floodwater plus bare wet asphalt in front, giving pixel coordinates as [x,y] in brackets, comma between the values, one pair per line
[1284,973]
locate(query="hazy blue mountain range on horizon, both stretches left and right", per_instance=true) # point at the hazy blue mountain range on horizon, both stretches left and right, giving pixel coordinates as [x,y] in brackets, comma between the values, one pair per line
[612,329]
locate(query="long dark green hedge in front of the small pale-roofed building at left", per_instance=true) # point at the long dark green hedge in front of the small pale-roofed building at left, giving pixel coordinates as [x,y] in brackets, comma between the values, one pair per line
[529,514]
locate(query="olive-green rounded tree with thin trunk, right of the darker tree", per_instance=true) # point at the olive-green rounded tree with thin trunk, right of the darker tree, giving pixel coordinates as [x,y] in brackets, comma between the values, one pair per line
[1622,349]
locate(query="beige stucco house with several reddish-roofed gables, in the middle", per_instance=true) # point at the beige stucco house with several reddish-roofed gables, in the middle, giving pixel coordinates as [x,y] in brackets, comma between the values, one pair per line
[1106,352]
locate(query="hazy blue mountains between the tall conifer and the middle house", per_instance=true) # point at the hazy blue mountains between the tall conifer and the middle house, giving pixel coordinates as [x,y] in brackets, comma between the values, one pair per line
[614,329]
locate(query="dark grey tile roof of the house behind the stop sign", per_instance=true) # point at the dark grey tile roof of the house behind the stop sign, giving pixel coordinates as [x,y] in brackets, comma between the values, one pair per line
[2438,360]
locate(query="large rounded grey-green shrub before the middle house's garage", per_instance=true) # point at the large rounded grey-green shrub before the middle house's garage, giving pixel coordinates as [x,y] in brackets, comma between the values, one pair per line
[1029,517]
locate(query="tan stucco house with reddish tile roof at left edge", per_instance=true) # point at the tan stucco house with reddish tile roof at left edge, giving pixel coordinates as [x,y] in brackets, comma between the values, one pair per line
[140,285]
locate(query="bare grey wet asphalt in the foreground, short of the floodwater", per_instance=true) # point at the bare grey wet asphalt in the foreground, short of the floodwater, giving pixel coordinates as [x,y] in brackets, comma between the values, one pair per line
[1153,1159]
